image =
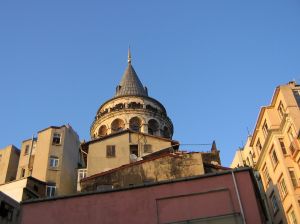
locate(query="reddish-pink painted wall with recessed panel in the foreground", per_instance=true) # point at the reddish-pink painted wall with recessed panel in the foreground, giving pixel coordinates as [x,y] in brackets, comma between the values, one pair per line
[204,198]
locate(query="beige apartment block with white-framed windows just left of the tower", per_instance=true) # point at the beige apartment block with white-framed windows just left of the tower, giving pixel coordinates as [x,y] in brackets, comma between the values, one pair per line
[53,158]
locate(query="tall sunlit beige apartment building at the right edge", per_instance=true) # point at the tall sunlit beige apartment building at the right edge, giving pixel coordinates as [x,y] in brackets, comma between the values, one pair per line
[273,150]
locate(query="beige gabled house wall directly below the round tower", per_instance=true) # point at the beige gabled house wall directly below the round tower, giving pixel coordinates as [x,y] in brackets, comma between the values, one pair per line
[97,161]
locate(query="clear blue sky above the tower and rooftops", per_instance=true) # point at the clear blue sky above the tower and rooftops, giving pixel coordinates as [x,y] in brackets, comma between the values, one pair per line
[213,64]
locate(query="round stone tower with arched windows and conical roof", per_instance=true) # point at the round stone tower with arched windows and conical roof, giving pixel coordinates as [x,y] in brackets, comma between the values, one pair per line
[131,108]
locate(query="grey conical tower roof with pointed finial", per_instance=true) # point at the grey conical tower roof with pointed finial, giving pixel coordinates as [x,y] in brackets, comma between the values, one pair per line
[130,83]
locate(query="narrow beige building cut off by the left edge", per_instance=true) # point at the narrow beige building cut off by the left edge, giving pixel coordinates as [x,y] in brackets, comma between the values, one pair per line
[9,158]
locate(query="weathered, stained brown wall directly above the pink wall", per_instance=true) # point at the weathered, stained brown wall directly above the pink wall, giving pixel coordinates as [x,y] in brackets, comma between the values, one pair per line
[166,167]
